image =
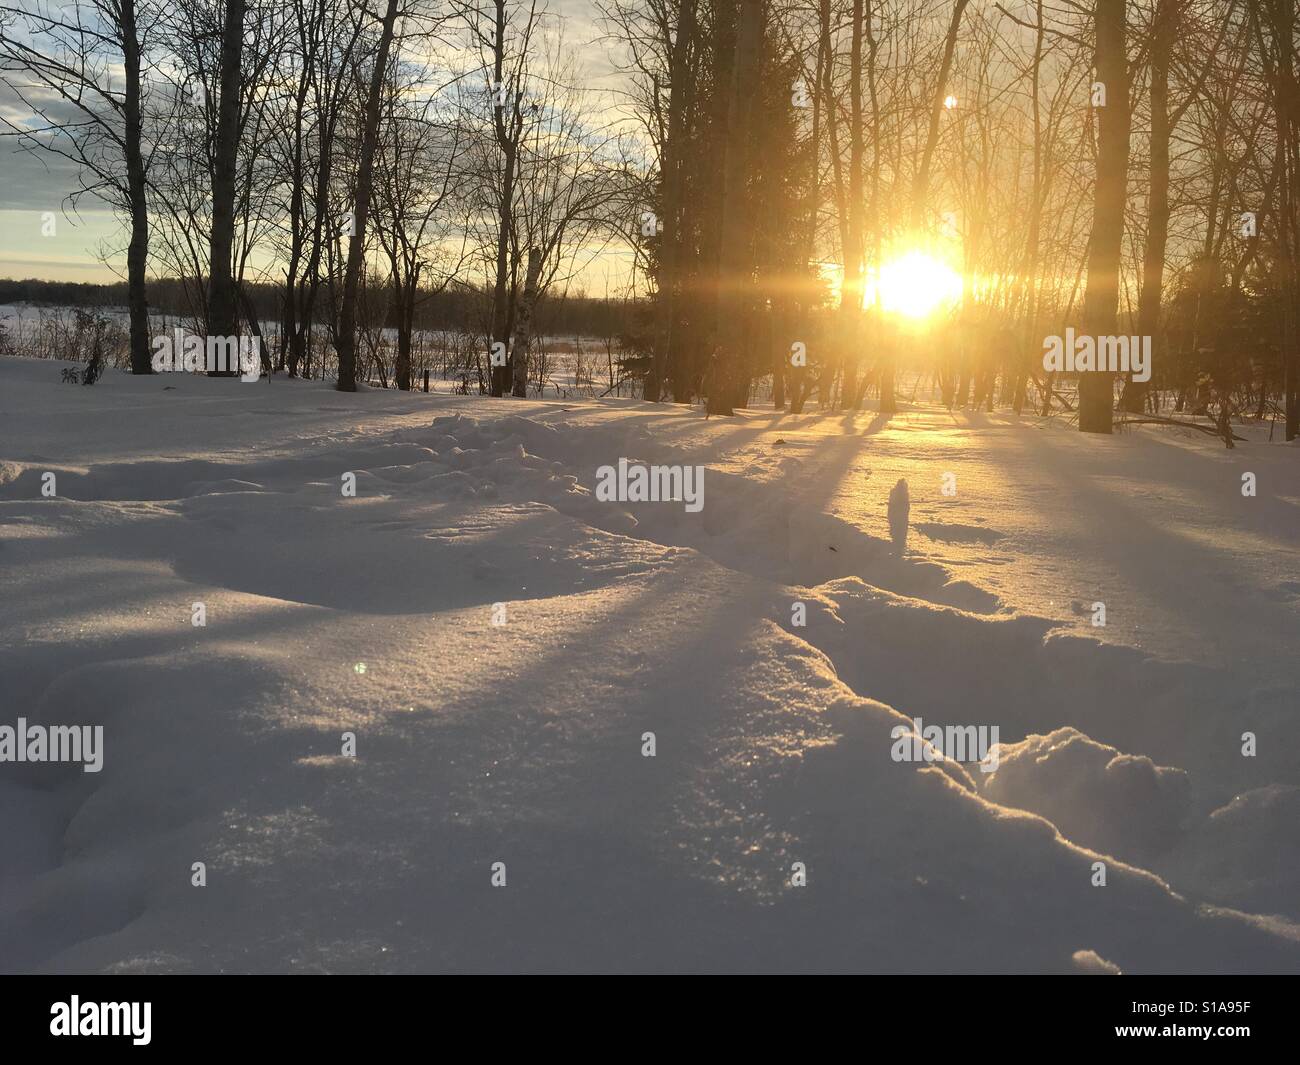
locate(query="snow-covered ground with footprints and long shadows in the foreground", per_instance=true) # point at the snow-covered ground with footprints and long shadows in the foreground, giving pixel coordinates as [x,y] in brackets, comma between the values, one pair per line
[523,743]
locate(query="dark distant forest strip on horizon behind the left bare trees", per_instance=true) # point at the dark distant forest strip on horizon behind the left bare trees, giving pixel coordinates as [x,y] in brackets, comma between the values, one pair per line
[462,309]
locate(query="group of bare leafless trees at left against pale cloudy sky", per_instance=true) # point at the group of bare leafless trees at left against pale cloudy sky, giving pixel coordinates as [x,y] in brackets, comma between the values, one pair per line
[379,167]
